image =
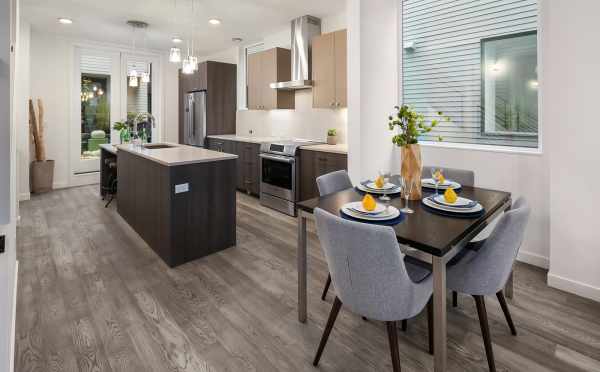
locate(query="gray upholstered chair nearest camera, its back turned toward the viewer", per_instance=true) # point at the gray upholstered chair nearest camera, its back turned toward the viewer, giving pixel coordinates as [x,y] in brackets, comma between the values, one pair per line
[370,277]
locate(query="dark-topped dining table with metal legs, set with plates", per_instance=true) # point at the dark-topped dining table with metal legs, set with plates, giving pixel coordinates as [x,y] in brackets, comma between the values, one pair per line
[433,237]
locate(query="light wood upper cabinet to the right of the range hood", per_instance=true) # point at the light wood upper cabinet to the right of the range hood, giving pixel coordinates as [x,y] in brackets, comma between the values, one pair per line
[329,70]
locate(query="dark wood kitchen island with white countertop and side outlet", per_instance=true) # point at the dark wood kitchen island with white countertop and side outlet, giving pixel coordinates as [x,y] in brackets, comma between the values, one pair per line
[180,199]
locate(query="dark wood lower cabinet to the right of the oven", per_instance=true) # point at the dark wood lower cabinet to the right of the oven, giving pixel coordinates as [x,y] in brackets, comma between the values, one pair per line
[314,164]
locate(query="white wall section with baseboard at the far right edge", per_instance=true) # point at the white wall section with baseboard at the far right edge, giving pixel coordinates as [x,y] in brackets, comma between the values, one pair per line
[572,77]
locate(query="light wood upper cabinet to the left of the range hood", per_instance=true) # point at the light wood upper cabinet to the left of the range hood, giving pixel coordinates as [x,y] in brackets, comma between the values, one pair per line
[264,68]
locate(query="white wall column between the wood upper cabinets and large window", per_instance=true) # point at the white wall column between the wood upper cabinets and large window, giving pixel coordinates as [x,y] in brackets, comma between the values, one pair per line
[372,85]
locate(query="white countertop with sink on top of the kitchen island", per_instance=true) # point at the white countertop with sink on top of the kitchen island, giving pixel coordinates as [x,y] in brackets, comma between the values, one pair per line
[177,155]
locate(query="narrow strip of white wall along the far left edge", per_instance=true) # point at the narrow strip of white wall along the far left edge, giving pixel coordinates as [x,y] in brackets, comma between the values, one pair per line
[8,200]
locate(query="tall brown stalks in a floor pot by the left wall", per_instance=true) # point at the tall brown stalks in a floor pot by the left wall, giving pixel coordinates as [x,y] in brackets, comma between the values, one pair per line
[41,170]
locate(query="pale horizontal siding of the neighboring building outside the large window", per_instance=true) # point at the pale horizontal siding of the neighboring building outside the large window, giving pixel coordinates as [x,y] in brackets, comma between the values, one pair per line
[442,72]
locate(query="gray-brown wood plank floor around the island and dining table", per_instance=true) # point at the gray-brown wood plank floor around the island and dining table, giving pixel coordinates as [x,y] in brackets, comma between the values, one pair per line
[93,296]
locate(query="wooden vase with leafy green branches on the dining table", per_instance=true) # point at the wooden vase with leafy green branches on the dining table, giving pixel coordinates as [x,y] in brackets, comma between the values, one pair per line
[411,125]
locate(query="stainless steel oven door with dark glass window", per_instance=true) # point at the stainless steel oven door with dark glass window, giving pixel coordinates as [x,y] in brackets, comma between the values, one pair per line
[278,176]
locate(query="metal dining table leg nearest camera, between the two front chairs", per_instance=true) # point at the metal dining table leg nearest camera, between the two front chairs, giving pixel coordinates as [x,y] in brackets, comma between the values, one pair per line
[439,314]
